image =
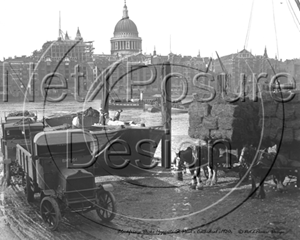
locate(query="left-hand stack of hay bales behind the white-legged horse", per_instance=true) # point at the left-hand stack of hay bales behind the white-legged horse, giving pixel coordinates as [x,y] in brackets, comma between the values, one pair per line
[218,119]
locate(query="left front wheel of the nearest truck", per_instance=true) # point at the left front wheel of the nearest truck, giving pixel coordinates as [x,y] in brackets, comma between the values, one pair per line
[50,212]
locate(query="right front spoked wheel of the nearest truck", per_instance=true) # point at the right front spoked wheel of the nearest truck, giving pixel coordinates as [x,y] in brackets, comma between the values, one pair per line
[106,206]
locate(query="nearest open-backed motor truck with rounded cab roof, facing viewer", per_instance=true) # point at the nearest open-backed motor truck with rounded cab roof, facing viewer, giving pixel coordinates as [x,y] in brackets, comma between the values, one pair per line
[51,167]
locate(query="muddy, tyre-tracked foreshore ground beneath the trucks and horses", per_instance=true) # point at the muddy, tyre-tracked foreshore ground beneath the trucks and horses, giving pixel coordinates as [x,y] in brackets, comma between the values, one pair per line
[156,206]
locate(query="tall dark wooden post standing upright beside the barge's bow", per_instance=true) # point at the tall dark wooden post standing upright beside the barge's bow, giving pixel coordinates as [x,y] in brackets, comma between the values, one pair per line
[166,116]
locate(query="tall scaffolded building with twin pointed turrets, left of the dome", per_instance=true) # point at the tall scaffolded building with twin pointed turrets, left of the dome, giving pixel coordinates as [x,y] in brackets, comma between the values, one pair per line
[63,55]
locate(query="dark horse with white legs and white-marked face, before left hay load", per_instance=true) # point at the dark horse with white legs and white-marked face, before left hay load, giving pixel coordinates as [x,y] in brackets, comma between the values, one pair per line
[193,156]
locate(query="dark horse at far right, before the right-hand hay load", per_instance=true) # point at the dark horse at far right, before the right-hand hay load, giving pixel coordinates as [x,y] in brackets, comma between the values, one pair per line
[260,163]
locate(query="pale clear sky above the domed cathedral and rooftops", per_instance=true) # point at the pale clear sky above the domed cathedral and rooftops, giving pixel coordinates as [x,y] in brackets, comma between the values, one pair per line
[182,27]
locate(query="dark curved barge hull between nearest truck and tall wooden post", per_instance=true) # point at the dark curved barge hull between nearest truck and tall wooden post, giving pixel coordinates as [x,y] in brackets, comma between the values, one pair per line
[137,145]
